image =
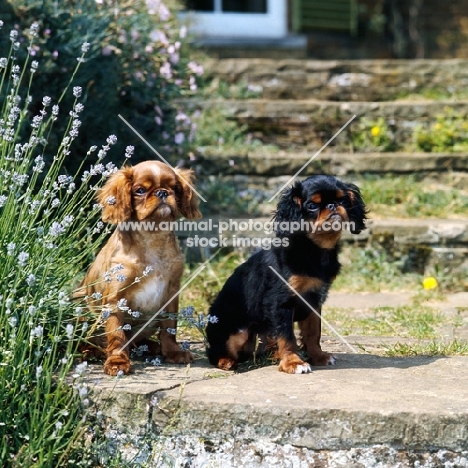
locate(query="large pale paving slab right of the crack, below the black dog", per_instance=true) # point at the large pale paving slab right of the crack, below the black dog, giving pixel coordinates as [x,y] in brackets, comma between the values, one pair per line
[407,403]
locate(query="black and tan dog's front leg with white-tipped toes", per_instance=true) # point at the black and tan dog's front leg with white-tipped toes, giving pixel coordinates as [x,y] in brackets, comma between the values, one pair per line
[290,362]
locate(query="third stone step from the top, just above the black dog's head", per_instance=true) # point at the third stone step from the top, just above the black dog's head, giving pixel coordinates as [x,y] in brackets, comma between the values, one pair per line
[268,164]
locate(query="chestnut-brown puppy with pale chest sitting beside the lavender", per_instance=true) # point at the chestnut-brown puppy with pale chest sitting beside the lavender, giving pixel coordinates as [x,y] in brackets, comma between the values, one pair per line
[139,269]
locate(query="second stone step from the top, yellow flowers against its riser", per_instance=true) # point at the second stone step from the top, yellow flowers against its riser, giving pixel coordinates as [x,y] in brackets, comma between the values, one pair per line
[311,123]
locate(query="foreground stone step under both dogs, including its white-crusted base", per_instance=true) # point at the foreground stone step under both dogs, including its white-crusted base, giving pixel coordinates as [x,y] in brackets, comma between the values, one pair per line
[388,407]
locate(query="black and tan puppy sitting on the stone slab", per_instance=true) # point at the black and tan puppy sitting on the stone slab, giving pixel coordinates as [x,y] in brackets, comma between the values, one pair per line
[256,300]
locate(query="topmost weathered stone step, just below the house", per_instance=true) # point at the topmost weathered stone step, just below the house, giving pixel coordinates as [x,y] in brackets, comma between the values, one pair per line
[343,80]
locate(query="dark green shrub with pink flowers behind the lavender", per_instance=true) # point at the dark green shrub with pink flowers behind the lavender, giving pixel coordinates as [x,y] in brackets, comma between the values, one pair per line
[137,66]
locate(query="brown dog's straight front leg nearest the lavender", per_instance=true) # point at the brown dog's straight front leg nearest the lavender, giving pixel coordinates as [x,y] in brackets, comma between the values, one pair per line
[117,359]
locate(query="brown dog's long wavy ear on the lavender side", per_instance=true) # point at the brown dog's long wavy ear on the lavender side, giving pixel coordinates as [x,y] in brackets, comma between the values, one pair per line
[116,197]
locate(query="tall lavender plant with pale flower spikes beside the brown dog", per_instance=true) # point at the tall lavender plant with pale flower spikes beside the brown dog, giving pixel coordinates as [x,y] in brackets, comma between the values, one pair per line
[45,235]
